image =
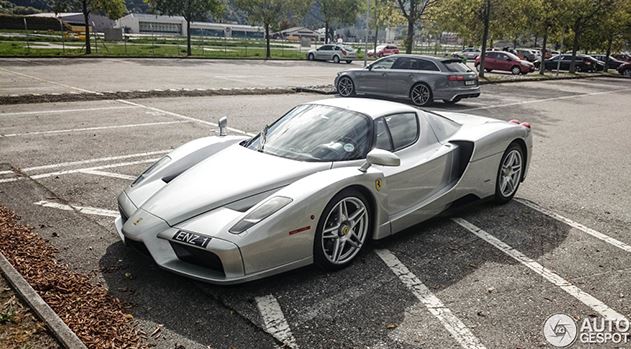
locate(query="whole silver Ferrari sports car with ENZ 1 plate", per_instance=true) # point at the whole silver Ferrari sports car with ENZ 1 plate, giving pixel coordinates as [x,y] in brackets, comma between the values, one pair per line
[314,186]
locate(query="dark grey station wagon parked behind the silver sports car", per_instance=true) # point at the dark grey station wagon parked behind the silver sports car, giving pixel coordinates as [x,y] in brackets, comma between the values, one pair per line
[421,79]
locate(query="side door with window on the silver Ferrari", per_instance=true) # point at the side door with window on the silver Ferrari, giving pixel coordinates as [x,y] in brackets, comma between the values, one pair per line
[424,171]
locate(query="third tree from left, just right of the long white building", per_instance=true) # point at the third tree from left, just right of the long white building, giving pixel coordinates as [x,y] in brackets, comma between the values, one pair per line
[271,13]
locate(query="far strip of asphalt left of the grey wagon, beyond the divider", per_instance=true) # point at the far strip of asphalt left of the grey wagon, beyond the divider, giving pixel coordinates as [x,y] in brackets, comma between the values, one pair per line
[26,76]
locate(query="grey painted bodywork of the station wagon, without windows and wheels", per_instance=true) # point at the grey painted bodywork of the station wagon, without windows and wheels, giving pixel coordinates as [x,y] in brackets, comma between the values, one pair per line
[397,83]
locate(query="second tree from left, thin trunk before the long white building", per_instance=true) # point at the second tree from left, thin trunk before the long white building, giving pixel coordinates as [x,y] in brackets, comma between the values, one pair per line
[189,9]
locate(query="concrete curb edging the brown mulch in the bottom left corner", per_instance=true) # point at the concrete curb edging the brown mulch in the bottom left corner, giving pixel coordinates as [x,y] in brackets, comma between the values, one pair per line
[60,330]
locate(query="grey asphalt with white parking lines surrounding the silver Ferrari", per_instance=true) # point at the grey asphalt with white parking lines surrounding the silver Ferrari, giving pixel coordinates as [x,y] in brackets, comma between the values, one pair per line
[580,170]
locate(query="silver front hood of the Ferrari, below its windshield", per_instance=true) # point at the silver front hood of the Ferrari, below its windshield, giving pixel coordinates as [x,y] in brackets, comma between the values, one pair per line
[229,175]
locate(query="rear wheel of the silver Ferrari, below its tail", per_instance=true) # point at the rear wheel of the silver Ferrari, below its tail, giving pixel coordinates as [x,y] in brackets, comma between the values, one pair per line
[509,173]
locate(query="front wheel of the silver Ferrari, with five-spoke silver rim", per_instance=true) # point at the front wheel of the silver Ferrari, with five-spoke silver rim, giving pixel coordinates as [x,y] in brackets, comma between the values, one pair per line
[339,238]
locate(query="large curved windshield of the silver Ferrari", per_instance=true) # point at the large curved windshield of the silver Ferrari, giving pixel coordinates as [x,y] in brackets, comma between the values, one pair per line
[314,132]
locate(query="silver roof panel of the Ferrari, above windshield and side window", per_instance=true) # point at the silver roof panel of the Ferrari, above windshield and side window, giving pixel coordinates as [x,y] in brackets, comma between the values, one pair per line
[373,108]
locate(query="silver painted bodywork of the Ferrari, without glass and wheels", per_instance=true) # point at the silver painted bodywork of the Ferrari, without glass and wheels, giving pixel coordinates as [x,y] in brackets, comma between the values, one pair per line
[217,182]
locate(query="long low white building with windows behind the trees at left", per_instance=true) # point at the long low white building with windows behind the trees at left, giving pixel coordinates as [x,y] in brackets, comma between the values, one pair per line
[141,23]
